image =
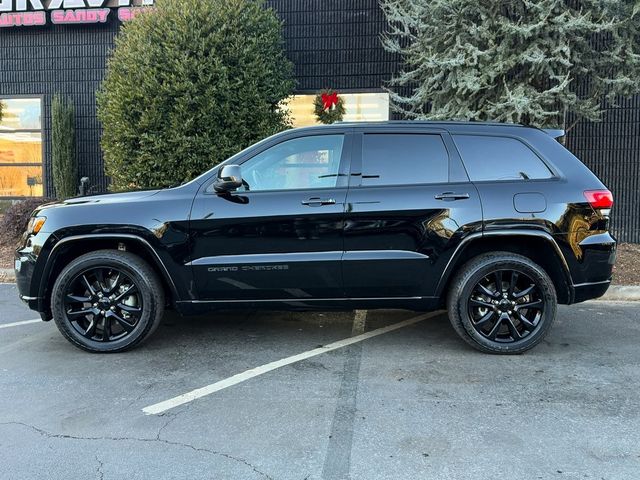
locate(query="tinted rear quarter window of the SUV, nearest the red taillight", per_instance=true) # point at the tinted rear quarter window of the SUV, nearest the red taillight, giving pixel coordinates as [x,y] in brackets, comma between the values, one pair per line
[499,158]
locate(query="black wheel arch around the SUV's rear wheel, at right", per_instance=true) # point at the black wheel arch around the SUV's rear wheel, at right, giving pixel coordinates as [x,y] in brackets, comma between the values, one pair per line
[538,246]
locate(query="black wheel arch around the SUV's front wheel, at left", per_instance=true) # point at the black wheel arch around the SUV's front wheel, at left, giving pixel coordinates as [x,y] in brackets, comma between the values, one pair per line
[69,248]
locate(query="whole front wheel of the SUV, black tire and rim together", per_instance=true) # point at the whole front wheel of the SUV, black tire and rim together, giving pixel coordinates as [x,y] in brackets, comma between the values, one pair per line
[107,301]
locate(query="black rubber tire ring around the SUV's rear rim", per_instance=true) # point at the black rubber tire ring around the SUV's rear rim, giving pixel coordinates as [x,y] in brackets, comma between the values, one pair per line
[543,283]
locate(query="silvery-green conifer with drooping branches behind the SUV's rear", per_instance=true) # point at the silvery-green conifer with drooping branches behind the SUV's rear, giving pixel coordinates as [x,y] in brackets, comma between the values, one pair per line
[536,62]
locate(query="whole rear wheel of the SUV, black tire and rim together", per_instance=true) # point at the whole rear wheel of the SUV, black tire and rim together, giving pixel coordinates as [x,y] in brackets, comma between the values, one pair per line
[509,319]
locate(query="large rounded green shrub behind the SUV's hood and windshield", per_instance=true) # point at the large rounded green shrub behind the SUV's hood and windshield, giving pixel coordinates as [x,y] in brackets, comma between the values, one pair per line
[187,86]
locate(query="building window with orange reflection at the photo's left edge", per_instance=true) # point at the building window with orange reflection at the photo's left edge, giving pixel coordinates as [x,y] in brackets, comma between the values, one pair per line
[21,148]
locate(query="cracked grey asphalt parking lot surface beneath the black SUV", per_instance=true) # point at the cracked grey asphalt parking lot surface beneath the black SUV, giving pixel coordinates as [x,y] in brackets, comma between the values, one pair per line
[411,403]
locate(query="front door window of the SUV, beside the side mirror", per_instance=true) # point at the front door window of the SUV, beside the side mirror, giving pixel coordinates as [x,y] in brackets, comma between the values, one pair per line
[301,163]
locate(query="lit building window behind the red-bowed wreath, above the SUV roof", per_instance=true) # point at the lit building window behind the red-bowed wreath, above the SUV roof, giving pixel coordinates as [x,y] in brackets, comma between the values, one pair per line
[359,107]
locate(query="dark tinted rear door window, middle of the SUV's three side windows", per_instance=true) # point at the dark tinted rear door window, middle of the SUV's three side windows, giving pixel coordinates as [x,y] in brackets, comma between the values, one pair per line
[395,159]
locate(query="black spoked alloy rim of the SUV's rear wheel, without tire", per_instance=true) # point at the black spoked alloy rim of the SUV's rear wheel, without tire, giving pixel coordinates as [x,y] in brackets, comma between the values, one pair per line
[506,306]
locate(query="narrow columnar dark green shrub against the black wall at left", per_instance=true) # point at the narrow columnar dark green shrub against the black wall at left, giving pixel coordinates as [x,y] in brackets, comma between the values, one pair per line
[63,155]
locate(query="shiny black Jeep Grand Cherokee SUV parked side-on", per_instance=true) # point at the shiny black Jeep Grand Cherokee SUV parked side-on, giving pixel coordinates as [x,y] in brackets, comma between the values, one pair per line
[496,222]
